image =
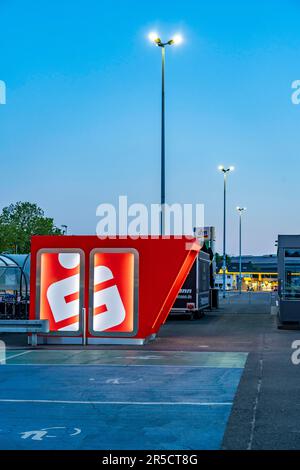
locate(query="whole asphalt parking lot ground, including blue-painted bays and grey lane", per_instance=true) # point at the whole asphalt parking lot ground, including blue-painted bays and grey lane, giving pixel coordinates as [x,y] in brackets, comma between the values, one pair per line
[224,381]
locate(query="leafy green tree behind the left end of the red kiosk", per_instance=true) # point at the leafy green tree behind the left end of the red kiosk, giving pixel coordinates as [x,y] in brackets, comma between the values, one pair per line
[18,222]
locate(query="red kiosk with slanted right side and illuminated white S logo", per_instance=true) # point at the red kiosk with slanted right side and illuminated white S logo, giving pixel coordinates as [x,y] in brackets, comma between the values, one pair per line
[145,273]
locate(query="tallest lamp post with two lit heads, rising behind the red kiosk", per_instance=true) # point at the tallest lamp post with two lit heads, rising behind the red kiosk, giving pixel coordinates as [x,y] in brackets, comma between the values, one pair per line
[177,39]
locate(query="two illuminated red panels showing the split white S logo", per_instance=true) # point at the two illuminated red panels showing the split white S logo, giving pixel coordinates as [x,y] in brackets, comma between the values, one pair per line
[112,300]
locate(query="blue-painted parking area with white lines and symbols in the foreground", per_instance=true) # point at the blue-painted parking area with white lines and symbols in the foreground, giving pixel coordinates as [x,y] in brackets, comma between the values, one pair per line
[116,399]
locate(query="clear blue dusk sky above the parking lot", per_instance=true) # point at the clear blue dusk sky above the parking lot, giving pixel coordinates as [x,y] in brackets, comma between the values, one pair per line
[82,120]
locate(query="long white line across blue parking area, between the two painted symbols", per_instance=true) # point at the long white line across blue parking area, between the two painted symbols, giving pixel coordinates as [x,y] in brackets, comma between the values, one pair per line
[85,402]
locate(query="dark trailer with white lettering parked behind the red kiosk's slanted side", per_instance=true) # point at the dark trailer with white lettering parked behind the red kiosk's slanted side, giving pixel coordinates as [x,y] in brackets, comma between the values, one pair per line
[194,295]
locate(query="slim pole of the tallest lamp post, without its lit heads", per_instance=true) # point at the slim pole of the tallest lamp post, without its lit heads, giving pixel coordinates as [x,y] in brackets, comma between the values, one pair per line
[163,183]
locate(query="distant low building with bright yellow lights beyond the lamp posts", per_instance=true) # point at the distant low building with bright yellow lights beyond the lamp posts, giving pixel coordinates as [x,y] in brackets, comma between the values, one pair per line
[259,273]
